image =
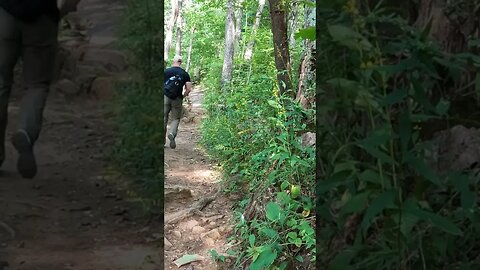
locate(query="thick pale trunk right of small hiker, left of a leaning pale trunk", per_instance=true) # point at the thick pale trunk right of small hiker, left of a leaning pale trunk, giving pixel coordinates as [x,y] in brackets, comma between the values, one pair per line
[229,50]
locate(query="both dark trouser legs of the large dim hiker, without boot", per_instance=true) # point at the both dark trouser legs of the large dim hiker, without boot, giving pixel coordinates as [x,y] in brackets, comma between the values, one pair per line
[36,44]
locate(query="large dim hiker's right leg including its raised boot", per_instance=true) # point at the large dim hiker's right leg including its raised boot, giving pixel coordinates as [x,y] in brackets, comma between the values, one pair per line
[39,45]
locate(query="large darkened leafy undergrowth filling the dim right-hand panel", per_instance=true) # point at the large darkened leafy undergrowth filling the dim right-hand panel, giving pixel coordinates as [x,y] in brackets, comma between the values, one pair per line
[381,205]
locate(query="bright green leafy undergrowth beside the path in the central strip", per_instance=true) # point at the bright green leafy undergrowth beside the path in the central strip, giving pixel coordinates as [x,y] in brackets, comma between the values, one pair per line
[256,136]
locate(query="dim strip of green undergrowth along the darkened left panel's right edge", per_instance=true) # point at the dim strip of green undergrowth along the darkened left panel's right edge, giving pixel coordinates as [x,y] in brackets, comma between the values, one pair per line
[139,149]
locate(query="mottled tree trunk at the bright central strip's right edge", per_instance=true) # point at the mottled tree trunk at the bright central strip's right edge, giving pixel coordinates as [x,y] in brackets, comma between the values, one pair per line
[306,81]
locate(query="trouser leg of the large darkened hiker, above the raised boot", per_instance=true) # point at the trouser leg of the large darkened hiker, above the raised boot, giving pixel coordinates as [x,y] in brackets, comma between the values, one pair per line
[39,53]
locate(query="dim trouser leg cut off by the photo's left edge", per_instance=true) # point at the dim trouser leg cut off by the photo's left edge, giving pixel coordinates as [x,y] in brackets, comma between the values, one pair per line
[9,52]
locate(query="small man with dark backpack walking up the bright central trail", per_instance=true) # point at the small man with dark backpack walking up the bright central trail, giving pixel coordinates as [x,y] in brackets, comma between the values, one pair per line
[176,78]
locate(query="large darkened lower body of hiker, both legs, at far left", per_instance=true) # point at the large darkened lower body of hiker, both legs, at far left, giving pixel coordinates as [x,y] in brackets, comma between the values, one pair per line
[28,29]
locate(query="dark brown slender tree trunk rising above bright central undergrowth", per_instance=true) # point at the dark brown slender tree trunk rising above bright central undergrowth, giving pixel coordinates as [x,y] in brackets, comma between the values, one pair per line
[278,15]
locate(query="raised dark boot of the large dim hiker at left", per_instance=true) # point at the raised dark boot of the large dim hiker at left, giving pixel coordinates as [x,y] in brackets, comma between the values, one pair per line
[26,164]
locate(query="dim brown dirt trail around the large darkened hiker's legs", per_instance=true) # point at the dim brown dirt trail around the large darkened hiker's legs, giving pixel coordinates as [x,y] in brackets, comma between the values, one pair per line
[71,216]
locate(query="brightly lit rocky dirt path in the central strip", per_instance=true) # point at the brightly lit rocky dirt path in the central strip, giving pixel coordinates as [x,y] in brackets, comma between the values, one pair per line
[197,216]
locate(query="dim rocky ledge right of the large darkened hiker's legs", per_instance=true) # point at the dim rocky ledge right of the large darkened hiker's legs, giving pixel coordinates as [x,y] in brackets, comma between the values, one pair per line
[84,66]
